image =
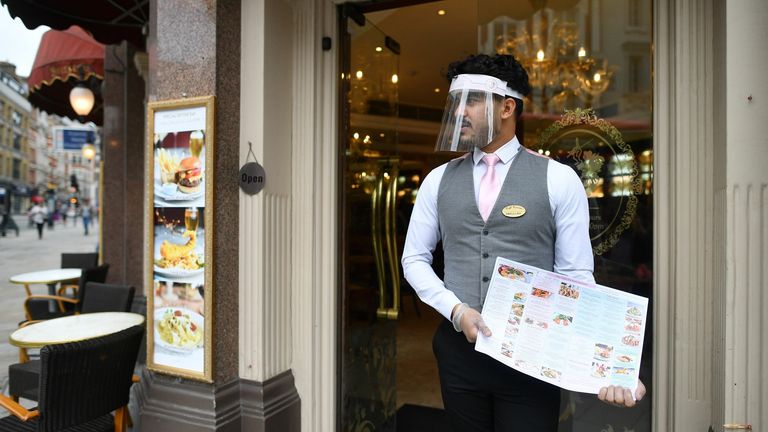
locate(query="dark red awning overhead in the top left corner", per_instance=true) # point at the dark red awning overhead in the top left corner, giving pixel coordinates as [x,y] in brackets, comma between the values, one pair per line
[110,22]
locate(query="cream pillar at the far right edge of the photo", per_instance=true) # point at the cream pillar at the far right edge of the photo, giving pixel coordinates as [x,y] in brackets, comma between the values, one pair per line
[744,104]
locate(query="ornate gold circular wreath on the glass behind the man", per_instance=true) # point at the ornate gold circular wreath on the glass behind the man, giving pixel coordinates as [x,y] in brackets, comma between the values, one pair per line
[587,117]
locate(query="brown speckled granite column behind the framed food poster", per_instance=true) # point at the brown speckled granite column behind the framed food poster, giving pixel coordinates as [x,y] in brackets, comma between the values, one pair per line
[194,50]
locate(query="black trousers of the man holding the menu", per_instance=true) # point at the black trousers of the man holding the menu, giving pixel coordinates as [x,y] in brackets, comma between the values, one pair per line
[482,394]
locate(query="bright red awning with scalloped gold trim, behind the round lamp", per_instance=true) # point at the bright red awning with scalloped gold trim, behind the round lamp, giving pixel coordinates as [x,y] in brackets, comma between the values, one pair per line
[61,58]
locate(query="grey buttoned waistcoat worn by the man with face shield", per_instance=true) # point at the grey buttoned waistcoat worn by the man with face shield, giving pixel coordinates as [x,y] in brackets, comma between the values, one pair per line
[471,245]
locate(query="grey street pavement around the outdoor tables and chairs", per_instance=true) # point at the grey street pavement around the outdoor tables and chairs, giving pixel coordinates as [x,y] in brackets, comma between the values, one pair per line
[26,253]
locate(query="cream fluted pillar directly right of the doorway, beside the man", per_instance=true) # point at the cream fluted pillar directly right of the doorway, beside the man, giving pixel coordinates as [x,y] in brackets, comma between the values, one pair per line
[685,219]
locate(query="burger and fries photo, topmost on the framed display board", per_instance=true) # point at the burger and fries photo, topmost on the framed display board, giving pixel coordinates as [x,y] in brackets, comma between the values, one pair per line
[179,169]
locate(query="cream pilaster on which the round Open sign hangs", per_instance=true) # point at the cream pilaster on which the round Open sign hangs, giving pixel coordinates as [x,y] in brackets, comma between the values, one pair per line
[265,263]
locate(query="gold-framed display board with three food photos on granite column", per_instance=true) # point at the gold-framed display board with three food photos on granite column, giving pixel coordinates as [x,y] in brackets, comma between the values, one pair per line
[180,160]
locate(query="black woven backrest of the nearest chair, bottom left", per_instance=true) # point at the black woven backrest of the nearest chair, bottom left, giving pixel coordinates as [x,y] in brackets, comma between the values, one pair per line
[81,381]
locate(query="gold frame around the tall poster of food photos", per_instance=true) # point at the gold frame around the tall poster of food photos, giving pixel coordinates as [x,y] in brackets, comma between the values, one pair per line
[209,103]
